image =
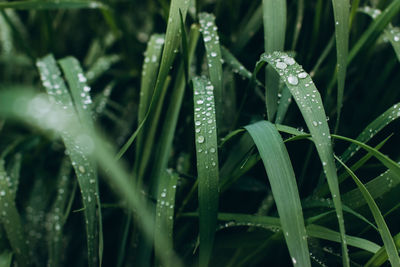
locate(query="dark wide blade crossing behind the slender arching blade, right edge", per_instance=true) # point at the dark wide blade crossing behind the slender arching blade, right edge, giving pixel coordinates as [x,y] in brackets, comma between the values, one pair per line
[377,187]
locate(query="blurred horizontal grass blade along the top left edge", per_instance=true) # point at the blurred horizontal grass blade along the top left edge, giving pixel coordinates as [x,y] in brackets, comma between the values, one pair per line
[40,4]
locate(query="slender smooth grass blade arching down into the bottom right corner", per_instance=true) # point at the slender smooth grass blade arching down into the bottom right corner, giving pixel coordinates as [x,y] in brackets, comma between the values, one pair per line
[380,221]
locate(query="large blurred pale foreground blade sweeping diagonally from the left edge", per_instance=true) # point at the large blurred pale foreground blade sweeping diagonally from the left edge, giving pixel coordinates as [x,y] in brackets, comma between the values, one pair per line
[37,111]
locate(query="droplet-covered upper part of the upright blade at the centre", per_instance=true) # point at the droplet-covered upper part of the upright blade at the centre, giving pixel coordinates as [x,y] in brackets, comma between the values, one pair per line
[204,121]
